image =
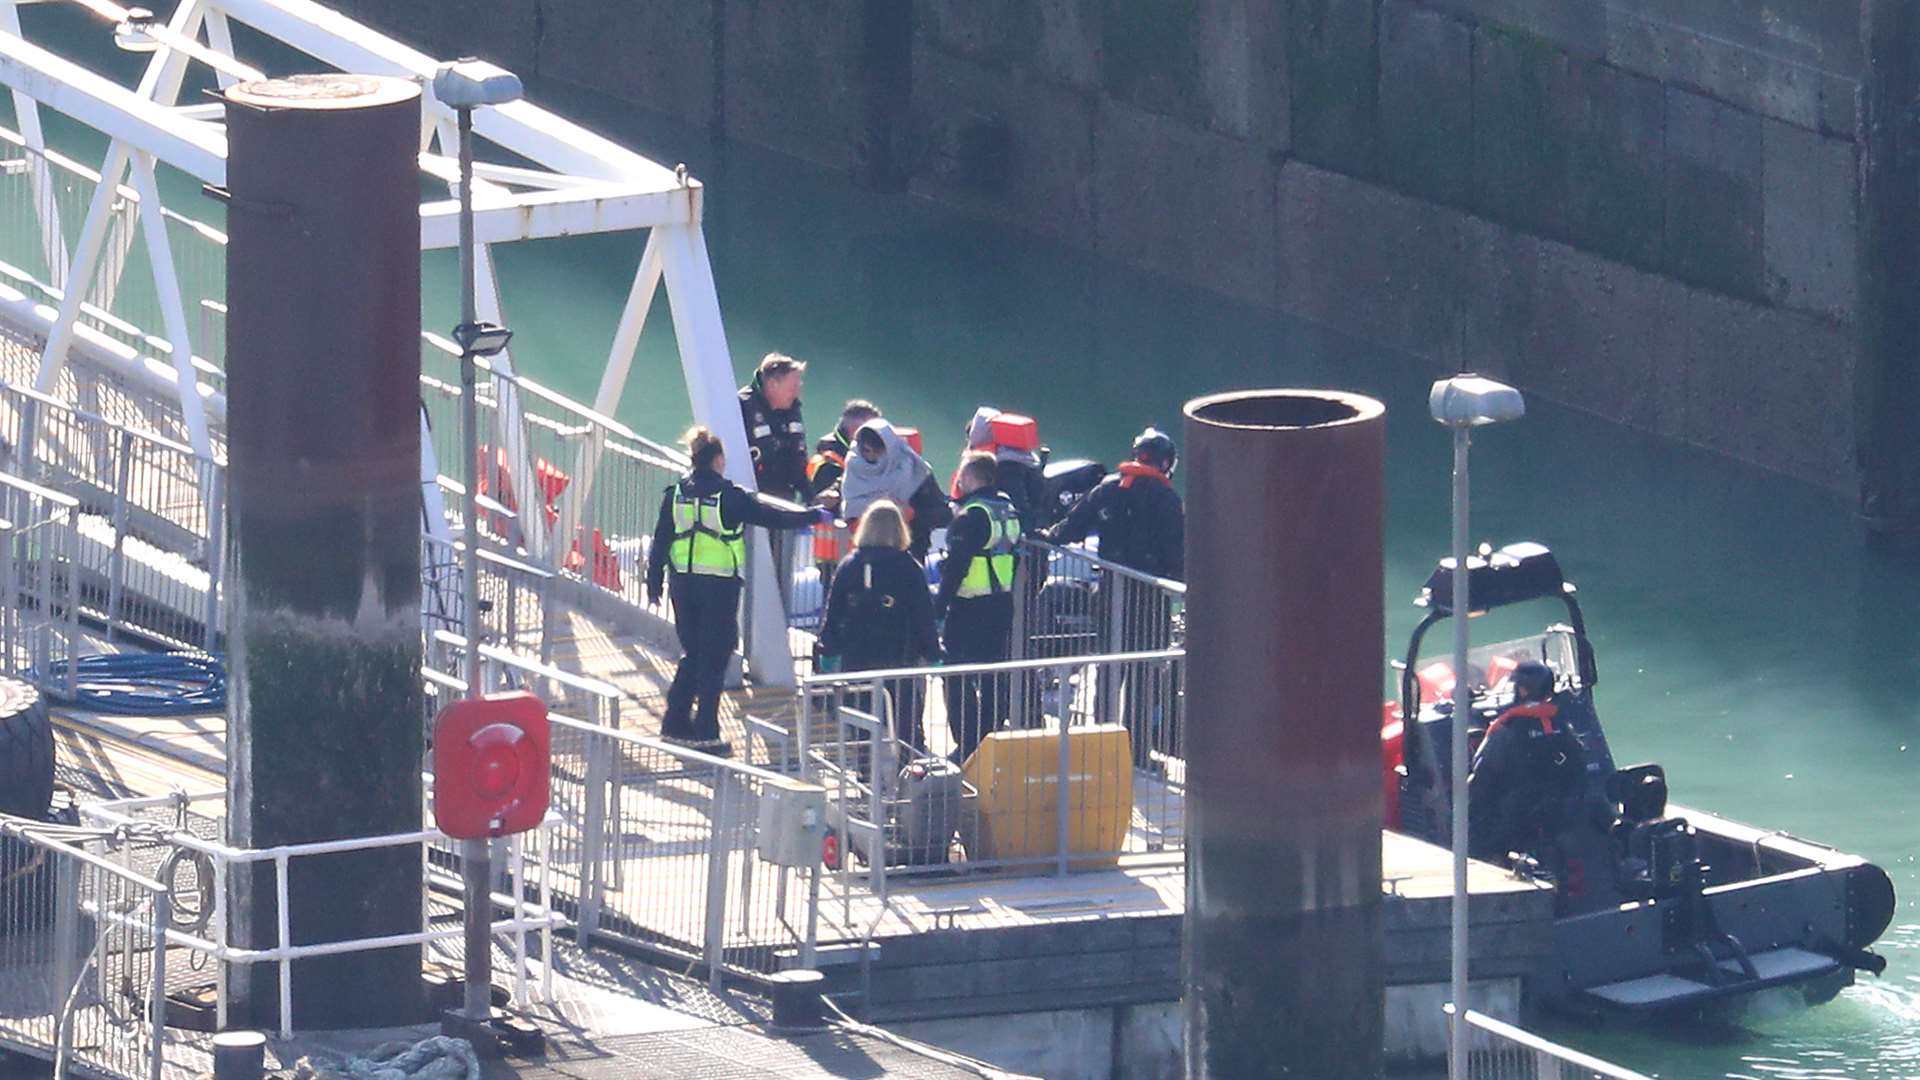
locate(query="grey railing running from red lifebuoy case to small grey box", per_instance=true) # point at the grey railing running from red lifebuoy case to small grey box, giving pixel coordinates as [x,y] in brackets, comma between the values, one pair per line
[690,856]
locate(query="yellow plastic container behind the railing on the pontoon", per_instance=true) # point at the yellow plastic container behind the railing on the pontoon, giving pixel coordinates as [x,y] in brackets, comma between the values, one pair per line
[1019,783]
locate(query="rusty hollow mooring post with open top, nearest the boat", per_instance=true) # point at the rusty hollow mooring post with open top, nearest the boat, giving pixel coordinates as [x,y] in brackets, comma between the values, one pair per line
[1284,962]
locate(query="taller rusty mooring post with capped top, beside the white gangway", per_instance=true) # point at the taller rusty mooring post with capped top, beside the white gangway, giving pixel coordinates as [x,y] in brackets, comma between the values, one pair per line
[324,424]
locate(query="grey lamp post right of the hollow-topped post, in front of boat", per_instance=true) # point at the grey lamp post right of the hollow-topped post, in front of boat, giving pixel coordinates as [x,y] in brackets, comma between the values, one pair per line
[1462,405]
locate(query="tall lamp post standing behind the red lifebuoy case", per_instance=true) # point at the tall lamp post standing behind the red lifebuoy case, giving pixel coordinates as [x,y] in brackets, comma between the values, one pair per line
[469,86]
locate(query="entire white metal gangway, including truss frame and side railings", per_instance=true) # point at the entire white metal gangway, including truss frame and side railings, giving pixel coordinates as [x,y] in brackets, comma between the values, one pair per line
[114,303]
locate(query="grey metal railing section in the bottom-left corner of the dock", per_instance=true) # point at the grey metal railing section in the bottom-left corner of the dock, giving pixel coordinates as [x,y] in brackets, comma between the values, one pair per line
[84,952]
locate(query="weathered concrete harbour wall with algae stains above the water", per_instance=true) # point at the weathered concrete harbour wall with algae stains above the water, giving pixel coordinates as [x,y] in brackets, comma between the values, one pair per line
[1648,210]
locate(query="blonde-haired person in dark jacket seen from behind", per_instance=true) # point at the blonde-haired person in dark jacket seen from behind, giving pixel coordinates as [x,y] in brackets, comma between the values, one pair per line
[880,614]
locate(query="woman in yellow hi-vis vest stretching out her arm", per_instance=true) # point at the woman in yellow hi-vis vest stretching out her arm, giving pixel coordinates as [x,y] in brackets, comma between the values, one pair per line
[702,537]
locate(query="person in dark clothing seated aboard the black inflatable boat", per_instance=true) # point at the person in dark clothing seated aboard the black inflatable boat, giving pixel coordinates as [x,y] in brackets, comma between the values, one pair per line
[1527,773]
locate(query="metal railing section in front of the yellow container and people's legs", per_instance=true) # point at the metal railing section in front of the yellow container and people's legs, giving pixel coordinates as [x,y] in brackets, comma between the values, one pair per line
[1088,766]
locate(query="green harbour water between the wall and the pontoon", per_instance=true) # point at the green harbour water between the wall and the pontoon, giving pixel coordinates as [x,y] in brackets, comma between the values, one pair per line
[1748,637]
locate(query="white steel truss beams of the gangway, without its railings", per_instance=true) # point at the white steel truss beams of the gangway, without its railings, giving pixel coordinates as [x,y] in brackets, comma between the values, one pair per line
[565,182]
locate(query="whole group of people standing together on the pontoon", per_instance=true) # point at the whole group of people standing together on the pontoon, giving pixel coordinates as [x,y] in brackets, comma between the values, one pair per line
[880,610]
